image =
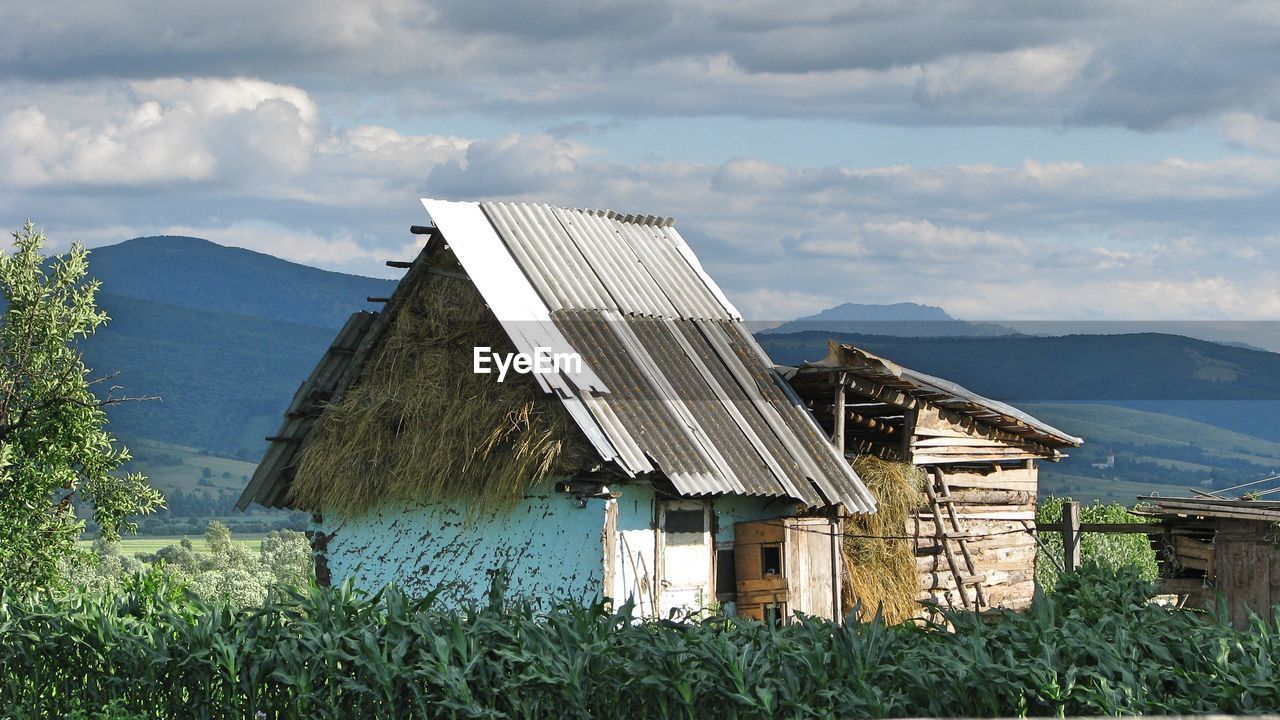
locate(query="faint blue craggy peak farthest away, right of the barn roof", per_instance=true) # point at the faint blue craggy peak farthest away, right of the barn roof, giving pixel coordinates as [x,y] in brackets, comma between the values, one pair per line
[906,320]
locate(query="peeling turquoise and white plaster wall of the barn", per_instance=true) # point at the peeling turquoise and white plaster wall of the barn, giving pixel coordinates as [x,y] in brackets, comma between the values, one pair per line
[554,549]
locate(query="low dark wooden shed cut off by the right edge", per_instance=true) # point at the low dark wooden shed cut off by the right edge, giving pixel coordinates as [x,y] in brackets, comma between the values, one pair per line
[1210,546]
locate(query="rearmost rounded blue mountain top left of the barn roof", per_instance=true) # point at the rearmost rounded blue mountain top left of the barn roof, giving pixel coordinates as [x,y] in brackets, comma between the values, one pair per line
[189,272]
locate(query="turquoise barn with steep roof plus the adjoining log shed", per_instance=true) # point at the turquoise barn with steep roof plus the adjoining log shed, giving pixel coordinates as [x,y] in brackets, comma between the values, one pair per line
[674,466]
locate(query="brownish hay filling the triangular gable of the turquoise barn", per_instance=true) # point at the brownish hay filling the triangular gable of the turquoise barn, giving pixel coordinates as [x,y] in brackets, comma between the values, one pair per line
[422,425]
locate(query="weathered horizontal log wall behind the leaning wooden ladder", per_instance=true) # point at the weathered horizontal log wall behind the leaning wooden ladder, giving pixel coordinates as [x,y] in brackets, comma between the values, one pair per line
[995,508]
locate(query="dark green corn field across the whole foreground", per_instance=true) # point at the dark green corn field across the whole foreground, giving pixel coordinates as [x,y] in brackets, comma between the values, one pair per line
[1095,648]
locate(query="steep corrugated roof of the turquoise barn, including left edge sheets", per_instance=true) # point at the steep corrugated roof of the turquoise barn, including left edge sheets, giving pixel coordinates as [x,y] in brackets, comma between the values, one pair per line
[671,380]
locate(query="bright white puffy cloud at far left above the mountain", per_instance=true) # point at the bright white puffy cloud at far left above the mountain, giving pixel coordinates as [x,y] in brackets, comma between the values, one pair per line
[159,133]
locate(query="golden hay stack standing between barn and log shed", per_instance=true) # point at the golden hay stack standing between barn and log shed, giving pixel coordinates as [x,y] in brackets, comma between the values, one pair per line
[881,573]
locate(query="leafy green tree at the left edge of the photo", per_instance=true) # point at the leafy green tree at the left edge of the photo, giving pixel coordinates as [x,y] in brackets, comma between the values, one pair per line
[54,448]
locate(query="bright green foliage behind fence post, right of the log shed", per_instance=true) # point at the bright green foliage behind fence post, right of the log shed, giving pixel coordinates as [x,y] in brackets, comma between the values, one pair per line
[1114,552]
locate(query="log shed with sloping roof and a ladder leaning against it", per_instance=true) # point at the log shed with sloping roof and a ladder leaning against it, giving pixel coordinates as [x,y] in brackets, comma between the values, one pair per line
[975,536]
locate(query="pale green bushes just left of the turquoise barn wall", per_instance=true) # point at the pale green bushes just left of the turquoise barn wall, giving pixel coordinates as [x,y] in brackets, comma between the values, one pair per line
[228,572]
